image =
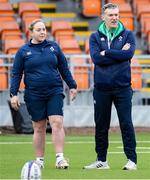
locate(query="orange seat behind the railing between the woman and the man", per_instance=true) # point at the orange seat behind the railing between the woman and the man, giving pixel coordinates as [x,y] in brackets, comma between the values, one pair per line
[80,73]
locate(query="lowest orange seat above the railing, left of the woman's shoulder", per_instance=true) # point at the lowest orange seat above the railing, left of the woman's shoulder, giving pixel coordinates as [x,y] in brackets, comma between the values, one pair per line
[11,46]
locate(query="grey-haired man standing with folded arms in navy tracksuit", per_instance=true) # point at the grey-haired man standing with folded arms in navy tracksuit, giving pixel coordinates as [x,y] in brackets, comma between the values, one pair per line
[111,49]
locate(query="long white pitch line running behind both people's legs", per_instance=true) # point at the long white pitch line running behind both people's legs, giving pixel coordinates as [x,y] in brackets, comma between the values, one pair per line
[74,142]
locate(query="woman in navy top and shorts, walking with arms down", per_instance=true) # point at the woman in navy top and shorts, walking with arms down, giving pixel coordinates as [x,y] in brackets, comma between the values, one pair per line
[44,66]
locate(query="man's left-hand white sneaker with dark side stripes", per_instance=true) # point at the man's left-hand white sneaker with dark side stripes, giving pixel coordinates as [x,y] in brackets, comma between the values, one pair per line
[97,165]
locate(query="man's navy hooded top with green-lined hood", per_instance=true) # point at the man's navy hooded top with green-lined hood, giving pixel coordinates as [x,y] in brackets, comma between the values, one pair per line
[113,69]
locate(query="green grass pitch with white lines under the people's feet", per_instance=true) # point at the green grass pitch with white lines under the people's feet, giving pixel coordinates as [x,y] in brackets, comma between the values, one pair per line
[15,150]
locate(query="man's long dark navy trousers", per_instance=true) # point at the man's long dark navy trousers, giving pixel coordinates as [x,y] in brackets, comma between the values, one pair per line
[102,105]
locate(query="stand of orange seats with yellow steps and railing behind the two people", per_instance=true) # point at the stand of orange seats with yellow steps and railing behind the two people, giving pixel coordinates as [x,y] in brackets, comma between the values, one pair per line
[71,27]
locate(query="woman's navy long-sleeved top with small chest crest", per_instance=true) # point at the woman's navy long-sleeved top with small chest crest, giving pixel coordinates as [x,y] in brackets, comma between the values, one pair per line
[44,66]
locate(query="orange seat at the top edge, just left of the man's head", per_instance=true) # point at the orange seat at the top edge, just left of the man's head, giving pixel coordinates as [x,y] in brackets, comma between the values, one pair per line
[91,8]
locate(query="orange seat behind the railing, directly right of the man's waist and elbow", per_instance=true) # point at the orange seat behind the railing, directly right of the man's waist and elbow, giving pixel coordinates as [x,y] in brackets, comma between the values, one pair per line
[136,77]
